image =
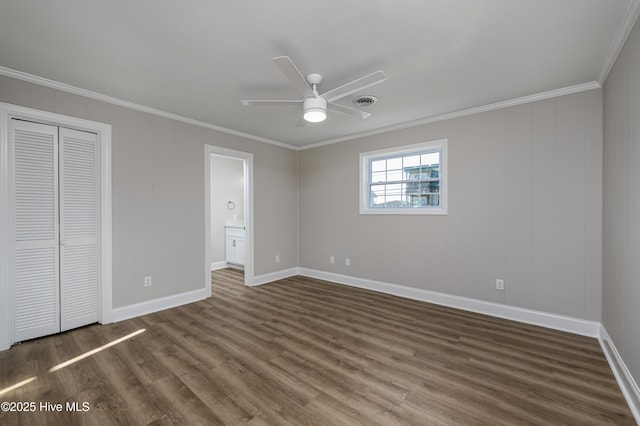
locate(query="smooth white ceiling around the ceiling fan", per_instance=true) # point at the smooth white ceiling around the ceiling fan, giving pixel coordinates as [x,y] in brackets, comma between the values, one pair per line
[198,58]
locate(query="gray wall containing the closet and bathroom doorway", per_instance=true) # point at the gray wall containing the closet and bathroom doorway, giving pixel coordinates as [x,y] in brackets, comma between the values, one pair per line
[158,194]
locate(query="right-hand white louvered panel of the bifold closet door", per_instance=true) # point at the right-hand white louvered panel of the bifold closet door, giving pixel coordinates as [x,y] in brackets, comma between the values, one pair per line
[78,228]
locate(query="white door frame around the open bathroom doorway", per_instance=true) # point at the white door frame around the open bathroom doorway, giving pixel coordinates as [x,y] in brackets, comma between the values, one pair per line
[247,158]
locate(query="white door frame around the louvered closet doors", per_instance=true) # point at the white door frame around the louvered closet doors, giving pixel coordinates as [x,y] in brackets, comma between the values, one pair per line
[103,131]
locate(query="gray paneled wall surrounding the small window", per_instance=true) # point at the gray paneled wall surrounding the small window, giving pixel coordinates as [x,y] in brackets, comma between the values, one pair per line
[525,204]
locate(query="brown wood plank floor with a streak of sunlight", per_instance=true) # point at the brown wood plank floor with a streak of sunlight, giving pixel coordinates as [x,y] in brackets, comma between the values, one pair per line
[303,351]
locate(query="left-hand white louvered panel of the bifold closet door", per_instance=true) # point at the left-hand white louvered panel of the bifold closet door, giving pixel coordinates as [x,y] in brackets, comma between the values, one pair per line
[35,194]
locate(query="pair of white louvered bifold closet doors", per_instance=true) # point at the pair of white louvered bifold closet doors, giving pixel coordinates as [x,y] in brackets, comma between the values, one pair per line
[55,228]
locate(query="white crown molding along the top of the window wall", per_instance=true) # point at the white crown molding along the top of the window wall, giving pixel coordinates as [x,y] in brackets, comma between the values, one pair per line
[462,113]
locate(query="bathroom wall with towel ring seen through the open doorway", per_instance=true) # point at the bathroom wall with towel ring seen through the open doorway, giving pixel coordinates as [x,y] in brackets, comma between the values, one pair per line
[227,184]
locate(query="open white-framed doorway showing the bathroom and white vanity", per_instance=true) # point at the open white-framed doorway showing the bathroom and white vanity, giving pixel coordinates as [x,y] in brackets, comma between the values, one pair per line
[229,211]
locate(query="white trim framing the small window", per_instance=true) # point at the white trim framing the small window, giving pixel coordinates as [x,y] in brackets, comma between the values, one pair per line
[364,179]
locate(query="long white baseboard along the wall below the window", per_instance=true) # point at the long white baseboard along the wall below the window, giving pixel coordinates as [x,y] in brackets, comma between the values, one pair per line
[528,316]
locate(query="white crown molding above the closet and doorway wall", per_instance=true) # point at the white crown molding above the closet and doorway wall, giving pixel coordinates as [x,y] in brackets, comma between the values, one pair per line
[8,72]
